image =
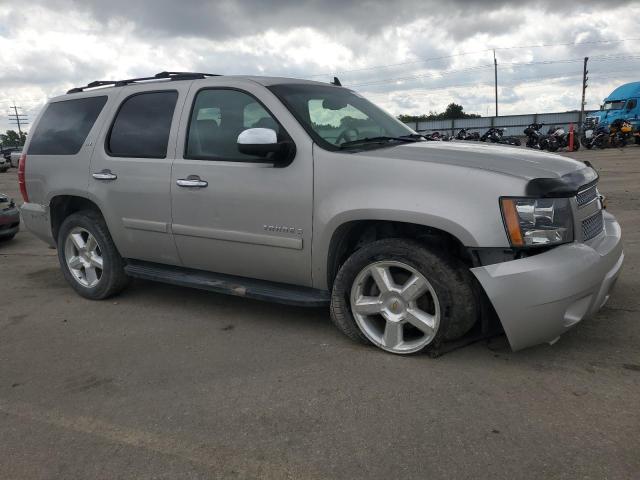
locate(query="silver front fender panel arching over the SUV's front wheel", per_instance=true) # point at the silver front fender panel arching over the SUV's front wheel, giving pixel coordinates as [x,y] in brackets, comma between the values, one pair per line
[463,202]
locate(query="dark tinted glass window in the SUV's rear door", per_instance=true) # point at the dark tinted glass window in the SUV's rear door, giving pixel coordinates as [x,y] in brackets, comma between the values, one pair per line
[141,127]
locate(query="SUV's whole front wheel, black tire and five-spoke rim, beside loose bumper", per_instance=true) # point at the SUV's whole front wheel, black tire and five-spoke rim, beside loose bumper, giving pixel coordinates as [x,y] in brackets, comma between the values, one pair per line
[402,297]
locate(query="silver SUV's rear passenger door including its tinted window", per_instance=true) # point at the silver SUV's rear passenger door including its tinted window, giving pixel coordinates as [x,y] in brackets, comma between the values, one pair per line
[131,170]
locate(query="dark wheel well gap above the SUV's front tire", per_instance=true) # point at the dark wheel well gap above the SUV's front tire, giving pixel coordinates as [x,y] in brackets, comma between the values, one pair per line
[351,236]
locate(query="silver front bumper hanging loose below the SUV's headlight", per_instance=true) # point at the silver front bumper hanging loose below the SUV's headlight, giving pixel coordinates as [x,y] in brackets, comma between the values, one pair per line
[539,298]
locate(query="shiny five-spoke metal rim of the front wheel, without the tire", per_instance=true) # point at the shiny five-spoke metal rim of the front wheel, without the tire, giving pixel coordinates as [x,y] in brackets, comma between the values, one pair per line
[395,306]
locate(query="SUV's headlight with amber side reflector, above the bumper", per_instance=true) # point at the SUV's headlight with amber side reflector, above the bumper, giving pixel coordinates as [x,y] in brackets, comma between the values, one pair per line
[537,222]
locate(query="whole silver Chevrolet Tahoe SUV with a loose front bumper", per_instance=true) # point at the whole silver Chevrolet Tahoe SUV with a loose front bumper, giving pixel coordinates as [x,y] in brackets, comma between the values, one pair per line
[306,193]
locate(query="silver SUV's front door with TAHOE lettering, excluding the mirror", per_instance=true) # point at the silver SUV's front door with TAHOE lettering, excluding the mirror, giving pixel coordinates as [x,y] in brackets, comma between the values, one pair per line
[234,213]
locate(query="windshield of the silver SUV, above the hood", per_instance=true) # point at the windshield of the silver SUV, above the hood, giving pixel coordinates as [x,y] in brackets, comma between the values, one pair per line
[334,116]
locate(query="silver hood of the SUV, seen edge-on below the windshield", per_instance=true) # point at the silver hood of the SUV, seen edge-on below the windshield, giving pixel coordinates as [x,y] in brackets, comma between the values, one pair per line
[514,161]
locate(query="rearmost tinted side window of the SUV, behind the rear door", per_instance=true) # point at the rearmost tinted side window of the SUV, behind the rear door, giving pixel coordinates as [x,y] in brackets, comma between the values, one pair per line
[64,126]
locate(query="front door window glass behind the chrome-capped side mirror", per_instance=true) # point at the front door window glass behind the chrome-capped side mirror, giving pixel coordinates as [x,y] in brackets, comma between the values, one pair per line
[218,117]
